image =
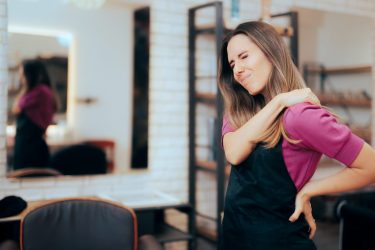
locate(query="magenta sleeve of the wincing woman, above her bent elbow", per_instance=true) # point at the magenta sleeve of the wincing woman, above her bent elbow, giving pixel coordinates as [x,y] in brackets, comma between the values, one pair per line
[318,130]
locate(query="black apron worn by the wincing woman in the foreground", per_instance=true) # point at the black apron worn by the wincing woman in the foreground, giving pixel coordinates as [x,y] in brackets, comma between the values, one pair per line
[260,199]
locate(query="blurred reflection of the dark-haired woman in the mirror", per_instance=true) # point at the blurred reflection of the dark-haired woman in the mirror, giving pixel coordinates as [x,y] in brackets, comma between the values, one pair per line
[34,107]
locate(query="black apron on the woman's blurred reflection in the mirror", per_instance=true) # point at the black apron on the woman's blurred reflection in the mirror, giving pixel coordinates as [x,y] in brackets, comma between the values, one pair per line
[30,148]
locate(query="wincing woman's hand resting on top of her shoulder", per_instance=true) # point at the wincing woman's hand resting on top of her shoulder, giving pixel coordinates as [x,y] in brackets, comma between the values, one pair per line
[298,96]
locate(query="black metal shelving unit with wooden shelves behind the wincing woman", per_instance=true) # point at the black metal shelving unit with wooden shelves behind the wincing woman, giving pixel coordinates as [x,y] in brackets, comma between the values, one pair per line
[214,100]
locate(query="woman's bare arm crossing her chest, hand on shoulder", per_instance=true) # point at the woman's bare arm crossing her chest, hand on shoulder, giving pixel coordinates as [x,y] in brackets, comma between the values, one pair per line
[239,144]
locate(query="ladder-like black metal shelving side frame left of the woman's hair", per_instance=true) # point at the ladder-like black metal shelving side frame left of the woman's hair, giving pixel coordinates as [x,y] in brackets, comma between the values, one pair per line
[214,100]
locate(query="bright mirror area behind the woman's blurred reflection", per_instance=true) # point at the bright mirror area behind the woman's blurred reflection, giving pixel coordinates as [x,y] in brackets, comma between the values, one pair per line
[53,51]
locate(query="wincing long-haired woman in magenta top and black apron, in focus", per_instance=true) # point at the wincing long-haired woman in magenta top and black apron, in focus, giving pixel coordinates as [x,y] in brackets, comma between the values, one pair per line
[274,151]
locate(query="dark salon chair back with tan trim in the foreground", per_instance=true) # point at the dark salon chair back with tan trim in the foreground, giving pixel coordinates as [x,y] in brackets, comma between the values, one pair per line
[81,224]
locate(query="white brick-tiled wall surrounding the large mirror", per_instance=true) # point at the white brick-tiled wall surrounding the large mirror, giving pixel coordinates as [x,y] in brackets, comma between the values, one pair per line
[168,141]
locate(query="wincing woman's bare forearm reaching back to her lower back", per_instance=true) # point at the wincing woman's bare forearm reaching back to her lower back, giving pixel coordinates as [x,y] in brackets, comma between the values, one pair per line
[360,174]
